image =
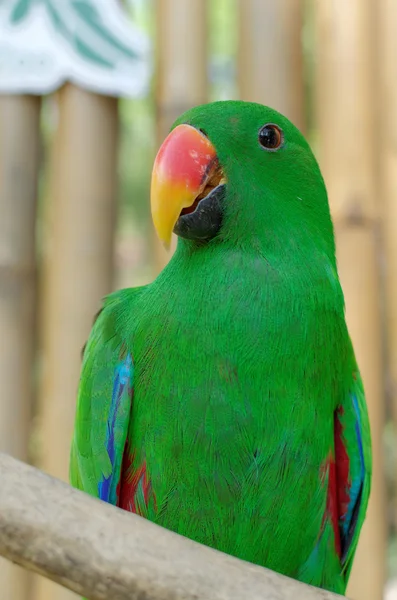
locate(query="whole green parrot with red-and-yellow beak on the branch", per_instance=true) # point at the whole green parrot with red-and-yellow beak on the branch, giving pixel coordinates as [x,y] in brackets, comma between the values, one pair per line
[223,400]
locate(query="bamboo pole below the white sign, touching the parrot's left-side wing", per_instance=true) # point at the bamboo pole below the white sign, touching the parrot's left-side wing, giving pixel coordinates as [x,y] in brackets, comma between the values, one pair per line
[78,263]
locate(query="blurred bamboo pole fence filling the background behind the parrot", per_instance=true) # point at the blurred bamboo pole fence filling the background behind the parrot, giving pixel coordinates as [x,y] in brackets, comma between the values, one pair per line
[74,212]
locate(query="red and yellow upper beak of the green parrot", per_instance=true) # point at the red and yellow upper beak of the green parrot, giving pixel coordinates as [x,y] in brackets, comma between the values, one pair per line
[181,171]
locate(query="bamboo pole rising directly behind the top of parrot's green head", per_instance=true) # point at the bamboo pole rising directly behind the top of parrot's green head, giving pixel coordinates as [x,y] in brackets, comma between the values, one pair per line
[270,55]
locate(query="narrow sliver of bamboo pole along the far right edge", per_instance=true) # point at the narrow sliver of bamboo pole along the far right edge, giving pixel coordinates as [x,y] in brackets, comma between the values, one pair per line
[388,94]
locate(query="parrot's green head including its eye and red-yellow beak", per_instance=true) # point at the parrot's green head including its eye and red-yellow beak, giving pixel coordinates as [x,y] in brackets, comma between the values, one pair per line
[241,173]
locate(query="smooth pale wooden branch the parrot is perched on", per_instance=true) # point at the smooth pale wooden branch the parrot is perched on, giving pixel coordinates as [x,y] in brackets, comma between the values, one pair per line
[105,553]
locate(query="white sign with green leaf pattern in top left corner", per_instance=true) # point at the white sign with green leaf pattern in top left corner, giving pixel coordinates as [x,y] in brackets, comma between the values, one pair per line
[44,43]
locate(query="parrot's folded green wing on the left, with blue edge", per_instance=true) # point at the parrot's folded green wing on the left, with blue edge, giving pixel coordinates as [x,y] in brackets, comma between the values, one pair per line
[103,407]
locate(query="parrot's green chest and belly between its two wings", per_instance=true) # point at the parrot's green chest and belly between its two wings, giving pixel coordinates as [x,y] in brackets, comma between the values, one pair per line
[233,414]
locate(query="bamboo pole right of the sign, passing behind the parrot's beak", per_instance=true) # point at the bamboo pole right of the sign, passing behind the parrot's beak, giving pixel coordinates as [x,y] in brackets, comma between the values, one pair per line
[181,78]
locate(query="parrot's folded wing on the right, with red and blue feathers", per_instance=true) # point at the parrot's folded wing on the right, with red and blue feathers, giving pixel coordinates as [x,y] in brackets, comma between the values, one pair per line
[352,469]
